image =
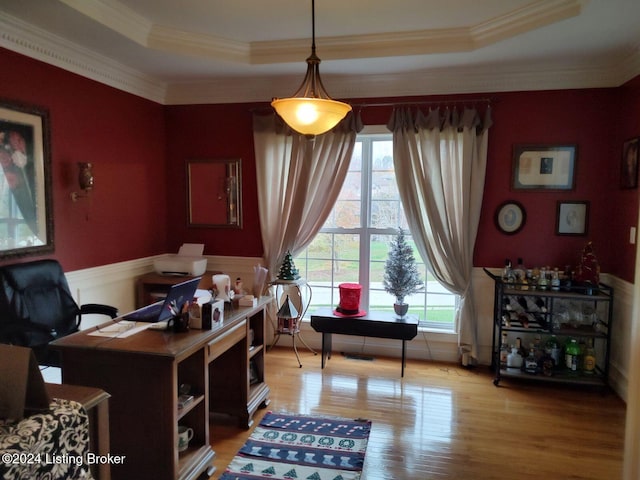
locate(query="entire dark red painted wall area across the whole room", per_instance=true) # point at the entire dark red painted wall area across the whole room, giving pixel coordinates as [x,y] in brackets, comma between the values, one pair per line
[139,150]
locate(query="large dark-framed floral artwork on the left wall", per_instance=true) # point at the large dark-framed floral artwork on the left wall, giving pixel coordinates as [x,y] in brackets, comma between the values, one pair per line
[26,210]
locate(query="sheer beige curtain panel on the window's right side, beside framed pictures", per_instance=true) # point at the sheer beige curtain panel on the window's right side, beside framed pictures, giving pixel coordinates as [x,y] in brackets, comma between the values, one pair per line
[440,161]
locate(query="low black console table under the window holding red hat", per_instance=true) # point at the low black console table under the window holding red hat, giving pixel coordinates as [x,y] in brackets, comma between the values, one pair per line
[373,324]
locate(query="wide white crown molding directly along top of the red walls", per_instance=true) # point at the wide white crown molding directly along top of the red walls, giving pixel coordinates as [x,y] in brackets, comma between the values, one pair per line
[24,38]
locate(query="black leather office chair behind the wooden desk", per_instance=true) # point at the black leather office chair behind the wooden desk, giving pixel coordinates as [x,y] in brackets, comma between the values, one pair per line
[36,307]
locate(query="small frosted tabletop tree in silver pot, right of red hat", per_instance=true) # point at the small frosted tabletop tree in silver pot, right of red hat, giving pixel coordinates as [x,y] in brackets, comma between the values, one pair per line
[401,276]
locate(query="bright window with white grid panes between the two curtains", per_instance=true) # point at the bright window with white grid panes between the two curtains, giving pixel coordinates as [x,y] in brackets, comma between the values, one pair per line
[354,242]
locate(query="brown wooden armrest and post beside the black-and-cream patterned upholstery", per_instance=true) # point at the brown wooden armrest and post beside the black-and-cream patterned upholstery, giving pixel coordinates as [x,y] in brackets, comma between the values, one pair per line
[96,402]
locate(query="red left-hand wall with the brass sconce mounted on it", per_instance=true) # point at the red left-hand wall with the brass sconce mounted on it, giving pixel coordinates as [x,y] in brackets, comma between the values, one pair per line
[124,137]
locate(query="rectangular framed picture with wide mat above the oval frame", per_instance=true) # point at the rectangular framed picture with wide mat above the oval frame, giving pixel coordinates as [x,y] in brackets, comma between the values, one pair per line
[544,167]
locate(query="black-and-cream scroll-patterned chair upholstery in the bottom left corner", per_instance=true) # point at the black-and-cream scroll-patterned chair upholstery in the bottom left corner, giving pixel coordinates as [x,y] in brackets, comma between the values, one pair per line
[47,446]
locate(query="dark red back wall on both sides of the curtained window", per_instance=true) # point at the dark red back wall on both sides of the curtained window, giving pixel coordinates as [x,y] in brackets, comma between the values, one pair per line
[586,118]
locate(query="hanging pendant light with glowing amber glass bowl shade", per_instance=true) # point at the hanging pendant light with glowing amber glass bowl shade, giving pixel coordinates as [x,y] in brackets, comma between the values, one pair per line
[311,111]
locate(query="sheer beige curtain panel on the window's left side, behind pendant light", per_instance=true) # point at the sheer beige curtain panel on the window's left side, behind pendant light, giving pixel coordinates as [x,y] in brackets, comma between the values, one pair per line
[299,180]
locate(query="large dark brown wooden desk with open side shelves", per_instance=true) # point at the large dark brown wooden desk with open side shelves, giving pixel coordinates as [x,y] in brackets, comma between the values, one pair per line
[143,371]
